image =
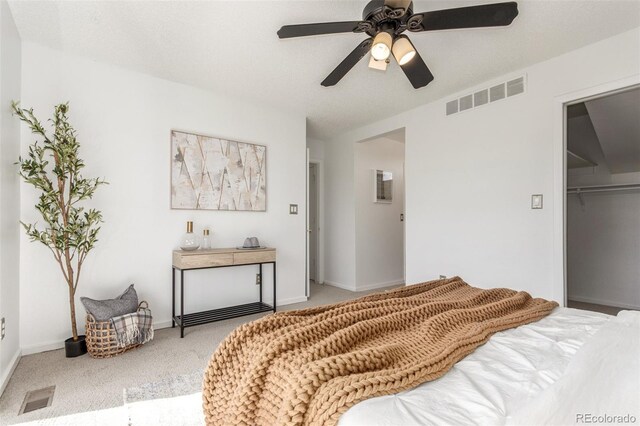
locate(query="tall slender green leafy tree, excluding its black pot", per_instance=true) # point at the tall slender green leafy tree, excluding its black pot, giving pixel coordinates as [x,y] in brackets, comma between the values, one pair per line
[53,168]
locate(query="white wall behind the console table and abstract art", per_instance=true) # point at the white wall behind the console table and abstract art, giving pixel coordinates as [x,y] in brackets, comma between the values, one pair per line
[123,120]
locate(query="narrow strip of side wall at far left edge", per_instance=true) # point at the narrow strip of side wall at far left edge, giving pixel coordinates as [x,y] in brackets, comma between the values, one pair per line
[9,193]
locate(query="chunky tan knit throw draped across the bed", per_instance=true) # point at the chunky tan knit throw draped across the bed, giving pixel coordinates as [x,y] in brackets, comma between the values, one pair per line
[307,367]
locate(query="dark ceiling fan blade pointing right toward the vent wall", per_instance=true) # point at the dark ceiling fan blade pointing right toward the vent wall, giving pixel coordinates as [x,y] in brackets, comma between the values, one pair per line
[486,15]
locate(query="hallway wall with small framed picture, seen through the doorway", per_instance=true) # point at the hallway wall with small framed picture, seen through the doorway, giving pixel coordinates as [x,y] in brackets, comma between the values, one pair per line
[379,231]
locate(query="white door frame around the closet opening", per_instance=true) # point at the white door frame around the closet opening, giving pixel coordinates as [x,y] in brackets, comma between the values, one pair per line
[560,103]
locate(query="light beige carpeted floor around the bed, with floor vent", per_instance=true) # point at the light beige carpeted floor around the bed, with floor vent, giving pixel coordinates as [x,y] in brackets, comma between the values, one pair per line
[95,387]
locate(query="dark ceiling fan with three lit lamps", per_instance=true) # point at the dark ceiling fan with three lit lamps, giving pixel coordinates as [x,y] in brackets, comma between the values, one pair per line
[385,21]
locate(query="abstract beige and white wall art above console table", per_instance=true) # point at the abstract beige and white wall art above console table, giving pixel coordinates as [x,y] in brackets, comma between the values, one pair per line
[209,173]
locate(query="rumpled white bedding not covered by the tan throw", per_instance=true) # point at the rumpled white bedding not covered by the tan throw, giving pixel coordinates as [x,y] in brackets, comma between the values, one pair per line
[570,363]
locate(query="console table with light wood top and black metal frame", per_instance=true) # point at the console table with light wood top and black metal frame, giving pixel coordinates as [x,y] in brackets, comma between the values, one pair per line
[219,258]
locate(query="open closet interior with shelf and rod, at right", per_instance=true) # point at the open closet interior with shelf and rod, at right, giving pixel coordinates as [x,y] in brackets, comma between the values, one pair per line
[603,202]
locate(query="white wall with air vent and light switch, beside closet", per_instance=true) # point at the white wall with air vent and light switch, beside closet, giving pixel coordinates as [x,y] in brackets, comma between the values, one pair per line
[470,176]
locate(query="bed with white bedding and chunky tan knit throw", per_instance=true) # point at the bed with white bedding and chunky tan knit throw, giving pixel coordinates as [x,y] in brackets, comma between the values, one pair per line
[506,359]
